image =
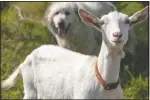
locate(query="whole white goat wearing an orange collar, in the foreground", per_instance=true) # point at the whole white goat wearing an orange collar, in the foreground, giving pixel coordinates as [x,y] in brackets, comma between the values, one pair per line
[54,72]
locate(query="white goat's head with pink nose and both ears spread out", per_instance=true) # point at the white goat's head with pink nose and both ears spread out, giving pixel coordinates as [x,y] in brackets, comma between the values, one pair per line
[114,26]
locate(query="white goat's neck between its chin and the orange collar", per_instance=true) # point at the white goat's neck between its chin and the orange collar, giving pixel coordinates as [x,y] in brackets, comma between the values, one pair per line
[109,63]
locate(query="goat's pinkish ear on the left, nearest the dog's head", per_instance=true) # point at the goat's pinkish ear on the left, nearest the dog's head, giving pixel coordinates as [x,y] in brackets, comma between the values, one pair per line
[88,18]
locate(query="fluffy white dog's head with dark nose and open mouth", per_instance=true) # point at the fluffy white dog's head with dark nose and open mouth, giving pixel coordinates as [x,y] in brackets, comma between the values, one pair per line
[61,15]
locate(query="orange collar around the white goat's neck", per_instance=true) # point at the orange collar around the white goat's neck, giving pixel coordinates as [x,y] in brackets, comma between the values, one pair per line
[102,82]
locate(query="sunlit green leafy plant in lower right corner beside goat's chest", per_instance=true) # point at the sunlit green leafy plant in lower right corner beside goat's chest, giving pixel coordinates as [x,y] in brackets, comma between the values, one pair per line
[136,88]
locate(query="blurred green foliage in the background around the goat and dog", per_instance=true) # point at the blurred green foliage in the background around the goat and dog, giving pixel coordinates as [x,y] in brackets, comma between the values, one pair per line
[19,38]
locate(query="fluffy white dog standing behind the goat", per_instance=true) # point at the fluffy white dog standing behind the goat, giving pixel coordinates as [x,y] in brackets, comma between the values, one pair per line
[70,32]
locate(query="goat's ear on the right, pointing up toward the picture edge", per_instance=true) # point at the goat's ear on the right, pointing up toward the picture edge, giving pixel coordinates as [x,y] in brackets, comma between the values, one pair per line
[139,16]
